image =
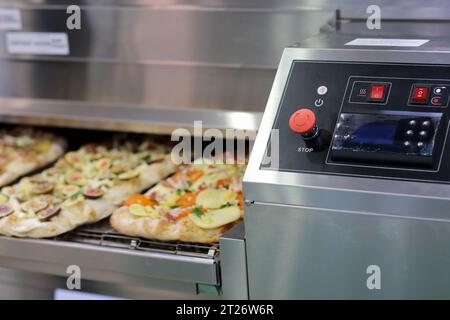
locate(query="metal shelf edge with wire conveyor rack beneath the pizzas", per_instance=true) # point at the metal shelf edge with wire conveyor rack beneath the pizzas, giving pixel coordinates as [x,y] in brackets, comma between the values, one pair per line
[107,256]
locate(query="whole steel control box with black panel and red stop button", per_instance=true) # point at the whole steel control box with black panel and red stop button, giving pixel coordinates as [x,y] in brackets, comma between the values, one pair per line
[350,173]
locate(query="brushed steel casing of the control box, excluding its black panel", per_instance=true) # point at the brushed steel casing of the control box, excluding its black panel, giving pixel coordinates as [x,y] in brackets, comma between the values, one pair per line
[323,231]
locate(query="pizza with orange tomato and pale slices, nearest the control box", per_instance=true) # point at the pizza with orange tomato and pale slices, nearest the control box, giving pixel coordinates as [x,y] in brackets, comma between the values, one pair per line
[196,204]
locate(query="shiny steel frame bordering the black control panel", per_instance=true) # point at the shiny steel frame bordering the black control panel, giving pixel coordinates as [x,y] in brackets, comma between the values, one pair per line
[341,186]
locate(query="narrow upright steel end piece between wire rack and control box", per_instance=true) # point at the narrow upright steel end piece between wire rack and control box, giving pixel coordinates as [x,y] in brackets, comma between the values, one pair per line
[234,264]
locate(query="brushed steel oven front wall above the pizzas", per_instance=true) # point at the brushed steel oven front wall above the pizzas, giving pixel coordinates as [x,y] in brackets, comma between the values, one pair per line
[209,62]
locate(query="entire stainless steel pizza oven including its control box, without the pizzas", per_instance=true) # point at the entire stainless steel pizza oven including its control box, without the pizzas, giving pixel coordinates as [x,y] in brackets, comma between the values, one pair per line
[347,185]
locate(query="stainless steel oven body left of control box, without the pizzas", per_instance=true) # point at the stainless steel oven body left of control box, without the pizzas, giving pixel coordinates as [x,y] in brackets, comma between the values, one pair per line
[147,68]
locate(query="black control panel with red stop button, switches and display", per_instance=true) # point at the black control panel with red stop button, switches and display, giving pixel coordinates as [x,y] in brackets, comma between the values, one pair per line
[365,119]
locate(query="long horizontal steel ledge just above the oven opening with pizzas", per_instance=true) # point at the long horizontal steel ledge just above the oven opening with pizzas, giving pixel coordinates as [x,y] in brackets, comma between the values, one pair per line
[129,118]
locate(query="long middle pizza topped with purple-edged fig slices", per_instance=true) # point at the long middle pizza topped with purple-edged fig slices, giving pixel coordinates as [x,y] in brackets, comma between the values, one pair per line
[83,187]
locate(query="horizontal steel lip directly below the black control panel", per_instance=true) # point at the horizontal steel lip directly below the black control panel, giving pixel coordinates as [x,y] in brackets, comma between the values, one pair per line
[345,198]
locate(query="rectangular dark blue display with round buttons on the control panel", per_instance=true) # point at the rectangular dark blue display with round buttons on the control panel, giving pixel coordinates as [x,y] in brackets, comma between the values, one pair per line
[387,137]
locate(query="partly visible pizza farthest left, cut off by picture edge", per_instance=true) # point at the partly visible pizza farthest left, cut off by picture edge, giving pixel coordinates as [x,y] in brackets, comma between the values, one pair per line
[24,150]
